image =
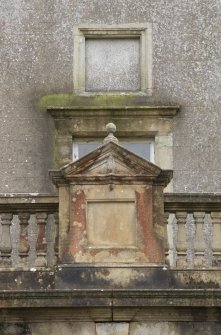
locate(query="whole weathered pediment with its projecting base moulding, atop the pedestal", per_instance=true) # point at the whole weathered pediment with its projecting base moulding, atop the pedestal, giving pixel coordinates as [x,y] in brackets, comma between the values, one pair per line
[113,162]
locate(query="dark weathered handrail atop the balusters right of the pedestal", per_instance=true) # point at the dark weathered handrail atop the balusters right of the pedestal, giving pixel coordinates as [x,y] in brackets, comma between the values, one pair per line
[191,202]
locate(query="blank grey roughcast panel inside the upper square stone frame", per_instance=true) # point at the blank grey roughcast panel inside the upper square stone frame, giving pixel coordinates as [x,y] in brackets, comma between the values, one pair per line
[112,64]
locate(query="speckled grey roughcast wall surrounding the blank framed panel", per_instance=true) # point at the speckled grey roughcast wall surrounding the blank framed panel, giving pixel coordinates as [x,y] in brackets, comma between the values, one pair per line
[37,59]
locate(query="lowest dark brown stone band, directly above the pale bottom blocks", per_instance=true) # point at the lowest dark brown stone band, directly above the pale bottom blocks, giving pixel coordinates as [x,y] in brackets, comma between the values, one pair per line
[110,313]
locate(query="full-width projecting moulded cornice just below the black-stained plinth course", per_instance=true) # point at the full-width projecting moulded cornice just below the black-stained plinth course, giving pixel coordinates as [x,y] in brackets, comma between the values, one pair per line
[114,298]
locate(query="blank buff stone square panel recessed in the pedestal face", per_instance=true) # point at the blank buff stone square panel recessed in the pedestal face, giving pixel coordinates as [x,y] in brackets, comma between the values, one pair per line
[111,224]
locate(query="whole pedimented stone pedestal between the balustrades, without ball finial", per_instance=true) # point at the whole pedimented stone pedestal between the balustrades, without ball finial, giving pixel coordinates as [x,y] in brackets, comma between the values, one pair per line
[132,187]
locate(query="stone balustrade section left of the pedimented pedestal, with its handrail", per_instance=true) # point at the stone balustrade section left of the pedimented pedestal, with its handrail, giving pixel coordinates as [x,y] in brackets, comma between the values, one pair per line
[28,230]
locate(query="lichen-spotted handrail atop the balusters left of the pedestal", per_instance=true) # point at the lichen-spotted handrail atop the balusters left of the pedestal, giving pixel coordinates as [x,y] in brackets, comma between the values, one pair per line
[28,202]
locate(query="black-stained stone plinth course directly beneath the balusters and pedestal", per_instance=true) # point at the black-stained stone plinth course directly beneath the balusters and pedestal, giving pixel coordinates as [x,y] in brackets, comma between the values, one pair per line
[119,277]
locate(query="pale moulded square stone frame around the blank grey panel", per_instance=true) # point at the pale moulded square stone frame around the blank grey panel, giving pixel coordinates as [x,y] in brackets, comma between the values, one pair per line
[141,31]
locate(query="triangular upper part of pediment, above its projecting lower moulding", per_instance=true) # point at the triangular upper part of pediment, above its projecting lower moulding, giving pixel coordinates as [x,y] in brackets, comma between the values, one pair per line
[112,159]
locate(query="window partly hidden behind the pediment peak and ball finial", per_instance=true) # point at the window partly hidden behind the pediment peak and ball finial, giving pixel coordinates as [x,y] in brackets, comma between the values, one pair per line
[142,148]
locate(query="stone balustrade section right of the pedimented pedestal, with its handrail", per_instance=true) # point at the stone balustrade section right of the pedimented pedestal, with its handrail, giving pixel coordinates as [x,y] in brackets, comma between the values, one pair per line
[194,230]
